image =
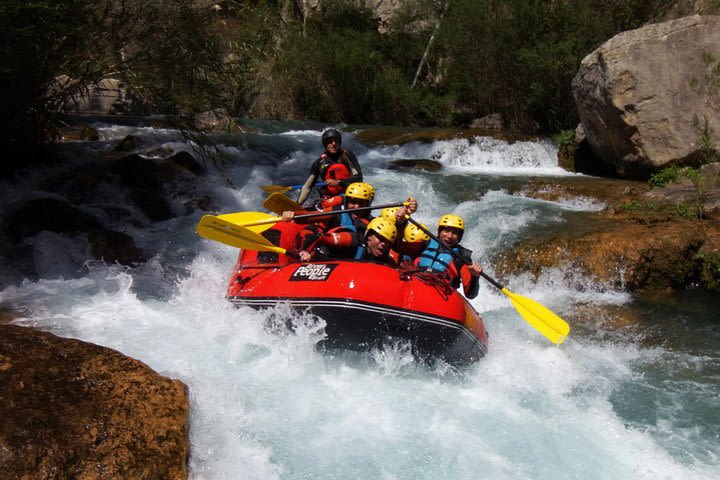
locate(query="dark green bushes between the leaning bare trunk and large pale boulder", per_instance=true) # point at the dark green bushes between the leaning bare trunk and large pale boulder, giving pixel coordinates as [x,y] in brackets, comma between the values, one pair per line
[523,54]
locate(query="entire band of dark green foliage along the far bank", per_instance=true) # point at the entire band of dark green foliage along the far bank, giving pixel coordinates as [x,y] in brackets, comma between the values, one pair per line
[330,63]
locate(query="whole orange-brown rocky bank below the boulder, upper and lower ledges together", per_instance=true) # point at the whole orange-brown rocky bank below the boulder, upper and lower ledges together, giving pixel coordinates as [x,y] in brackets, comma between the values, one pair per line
[647,240]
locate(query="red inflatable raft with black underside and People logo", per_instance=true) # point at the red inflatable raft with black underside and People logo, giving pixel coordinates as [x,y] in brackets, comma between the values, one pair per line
[363,303]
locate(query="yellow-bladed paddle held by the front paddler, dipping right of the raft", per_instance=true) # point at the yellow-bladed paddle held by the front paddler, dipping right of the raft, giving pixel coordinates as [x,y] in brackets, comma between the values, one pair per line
[538,316]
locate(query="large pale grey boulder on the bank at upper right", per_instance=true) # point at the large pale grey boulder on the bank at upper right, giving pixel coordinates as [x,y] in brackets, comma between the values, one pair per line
[645,97]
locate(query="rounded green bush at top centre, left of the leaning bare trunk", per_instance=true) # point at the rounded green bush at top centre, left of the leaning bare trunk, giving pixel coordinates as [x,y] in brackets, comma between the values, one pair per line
[341,70]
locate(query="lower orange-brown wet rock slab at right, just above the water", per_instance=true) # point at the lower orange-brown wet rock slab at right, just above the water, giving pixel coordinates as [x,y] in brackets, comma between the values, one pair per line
[655,256]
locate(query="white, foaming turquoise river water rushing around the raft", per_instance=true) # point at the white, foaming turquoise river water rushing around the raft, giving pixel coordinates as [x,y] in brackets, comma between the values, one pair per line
[632,393]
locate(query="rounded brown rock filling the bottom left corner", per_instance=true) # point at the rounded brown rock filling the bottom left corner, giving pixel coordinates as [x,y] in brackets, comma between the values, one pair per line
[72,409]
